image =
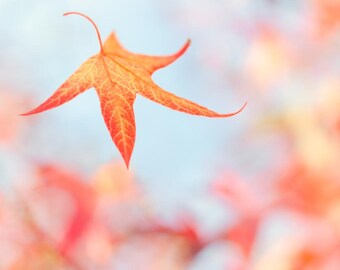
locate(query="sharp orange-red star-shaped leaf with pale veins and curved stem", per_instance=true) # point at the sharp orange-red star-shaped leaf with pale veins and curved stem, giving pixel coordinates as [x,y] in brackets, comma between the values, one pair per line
[118,75]
